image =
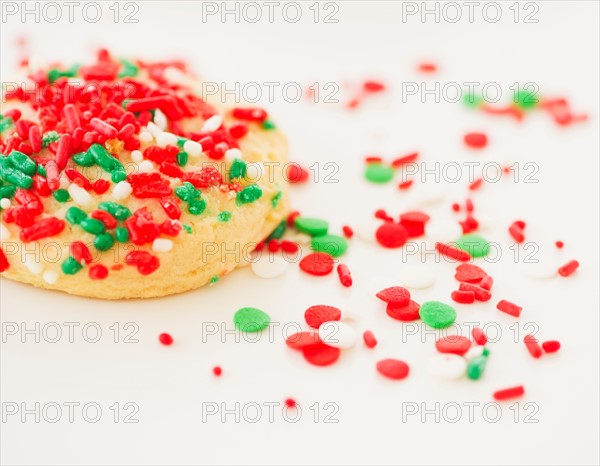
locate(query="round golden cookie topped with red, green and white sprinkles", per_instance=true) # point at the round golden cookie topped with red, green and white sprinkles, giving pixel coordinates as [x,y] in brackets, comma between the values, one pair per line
[129,184]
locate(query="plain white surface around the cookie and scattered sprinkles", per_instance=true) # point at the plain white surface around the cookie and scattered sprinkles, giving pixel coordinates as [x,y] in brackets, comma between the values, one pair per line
[560,53]
